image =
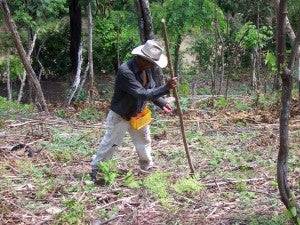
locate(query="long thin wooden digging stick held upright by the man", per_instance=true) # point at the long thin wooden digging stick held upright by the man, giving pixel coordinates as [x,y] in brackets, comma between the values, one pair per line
[177,98]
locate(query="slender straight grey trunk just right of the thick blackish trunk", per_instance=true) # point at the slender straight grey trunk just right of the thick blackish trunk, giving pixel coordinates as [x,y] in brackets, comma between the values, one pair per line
[90,50]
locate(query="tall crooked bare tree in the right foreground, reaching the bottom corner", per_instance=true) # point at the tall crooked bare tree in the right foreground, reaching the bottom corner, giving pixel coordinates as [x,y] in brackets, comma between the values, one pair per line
[285,68]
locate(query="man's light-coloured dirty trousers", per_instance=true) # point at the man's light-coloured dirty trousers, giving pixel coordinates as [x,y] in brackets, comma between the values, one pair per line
[116,128]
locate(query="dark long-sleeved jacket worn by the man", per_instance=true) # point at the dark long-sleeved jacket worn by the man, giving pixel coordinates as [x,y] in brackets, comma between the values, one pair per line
[130,96]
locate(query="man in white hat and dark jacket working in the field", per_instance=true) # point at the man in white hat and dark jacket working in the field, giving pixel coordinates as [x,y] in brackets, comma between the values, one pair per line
[134,86]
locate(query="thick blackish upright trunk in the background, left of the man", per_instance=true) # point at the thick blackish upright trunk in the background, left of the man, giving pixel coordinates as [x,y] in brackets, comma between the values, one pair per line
[75,35]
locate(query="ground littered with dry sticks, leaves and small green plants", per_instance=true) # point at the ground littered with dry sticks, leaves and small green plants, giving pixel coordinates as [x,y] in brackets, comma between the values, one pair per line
[233,144]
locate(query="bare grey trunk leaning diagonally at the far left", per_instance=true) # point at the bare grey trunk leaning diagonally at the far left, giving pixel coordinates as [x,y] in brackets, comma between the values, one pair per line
[41,103]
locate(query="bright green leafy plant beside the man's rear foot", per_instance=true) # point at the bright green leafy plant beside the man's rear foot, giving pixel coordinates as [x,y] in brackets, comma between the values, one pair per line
[108,171]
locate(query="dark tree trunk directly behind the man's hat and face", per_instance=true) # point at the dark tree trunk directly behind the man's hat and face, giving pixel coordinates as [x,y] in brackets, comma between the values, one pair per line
[147,33]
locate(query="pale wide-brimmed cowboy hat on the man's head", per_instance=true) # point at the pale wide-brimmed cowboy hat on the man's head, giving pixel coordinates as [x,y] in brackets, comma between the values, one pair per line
[153,52]
